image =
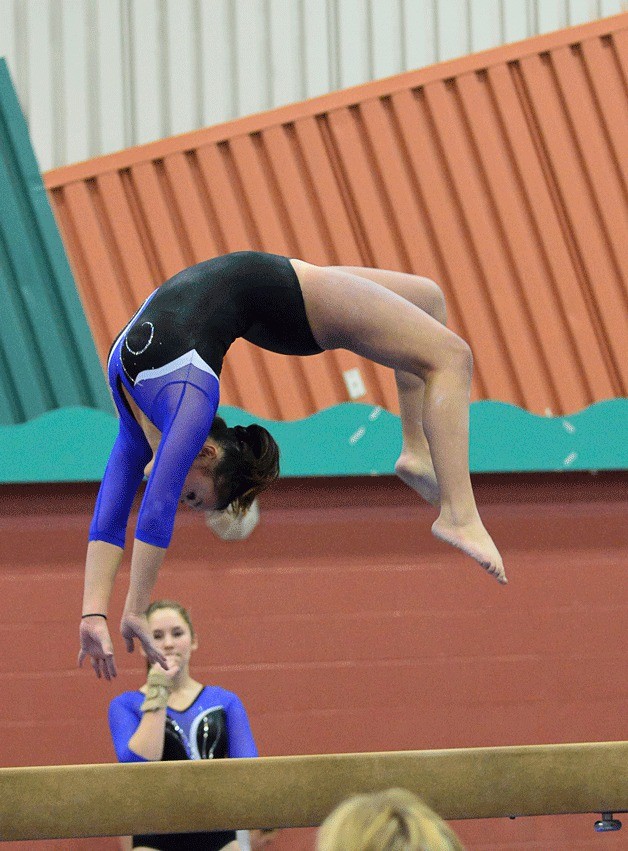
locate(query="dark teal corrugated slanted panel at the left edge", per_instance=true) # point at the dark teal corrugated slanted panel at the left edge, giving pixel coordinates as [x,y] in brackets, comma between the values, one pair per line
[47,355]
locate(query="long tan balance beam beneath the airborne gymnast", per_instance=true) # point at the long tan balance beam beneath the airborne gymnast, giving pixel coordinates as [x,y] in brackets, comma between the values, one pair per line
[60,802]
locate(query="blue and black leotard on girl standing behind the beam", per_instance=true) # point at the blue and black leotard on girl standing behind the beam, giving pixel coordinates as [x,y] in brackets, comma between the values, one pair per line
[214,726]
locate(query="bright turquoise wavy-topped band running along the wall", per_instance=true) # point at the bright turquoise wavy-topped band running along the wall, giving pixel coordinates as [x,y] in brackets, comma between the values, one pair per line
[352,439]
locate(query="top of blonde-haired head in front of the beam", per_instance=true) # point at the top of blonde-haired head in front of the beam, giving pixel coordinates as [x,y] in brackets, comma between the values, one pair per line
[392,820]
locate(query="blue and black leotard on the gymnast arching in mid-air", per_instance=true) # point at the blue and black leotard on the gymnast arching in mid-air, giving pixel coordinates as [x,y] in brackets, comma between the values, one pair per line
[168,359]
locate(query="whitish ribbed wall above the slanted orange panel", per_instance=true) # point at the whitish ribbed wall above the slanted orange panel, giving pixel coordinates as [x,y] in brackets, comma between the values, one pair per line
[95,76]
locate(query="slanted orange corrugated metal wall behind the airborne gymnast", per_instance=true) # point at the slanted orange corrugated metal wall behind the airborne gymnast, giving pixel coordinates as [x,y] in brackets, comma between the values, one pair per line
[501,175]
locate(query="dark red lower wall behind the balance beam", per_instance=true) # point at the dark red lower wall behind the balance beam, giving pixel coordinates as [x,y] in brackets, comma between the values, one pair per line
[345,626]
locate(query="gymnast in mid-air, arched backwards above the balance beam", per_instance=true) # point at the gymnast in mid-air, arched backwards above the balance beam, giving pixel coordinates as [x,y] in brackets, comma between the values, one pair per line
[164,369]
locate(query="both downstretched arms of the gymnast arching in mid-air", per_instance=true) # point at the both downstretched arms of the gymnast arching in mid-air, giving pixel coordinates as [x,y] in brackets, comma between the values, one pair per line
[184,413]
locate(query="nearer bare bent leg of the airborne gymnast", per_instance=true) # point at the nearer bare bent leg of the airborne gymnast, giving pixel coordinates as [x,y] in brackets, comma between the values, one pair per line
[354,312]
